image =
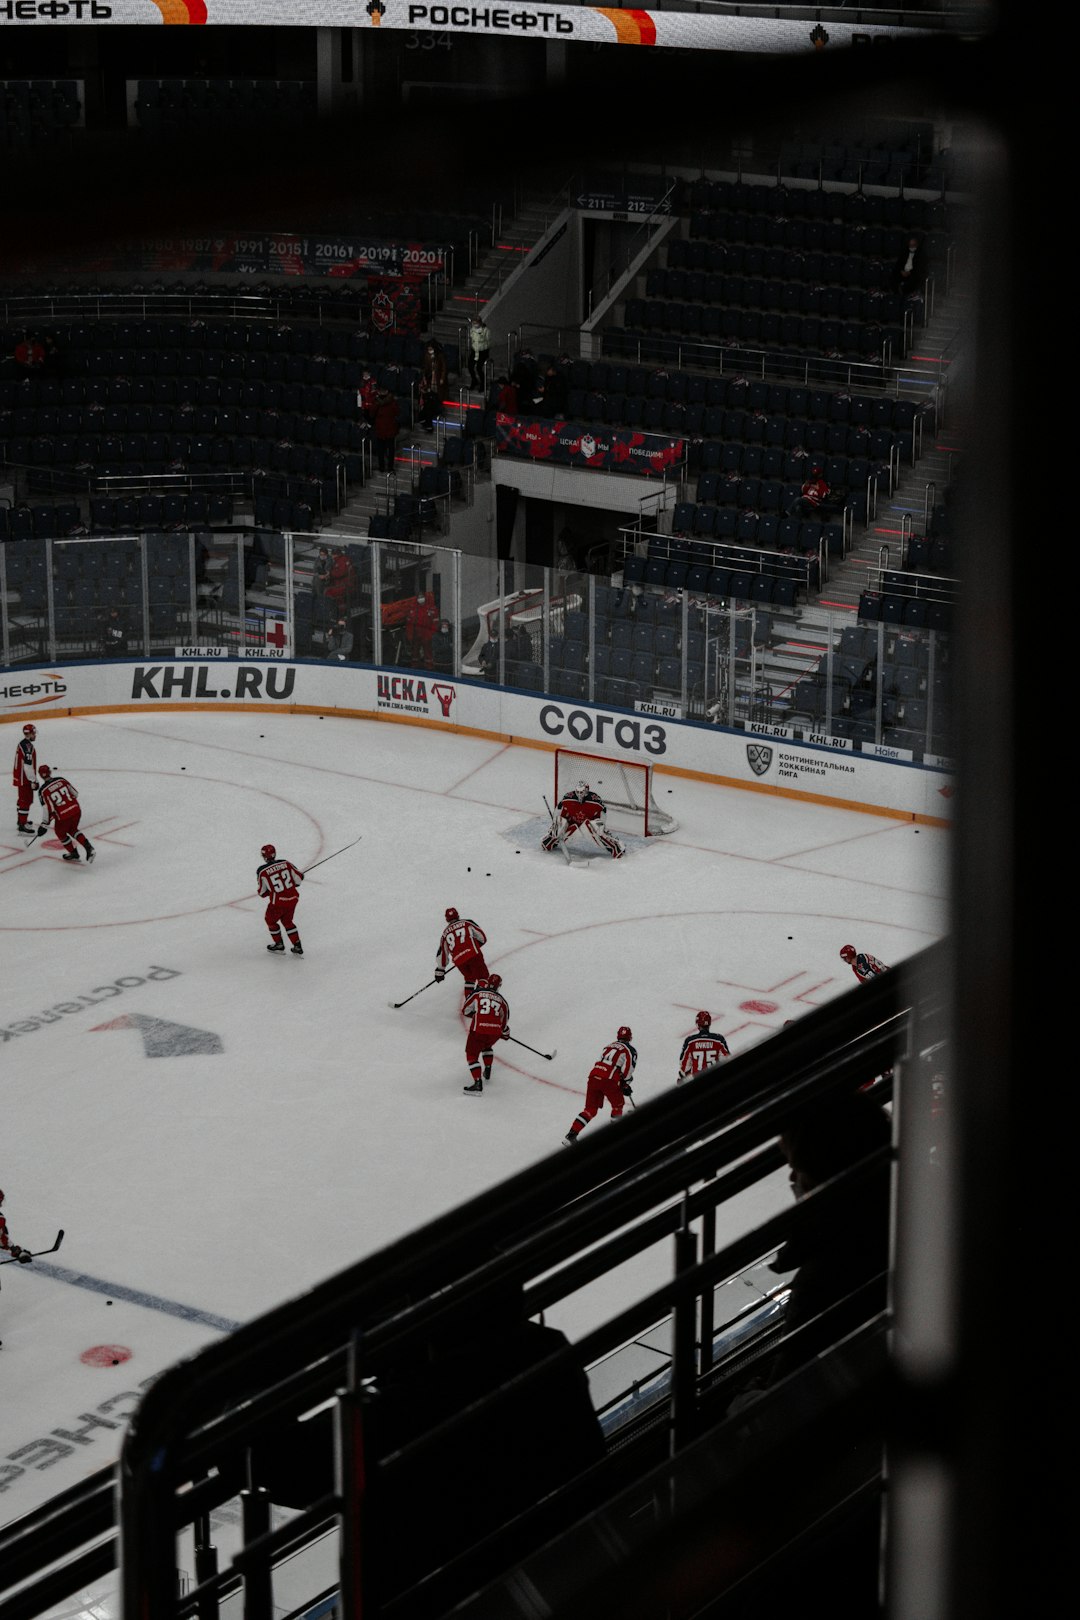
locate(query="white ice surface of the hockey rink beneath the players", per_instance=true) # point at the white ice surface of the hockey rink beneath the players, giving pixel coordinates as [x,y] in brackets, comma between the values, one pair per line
[216,1128]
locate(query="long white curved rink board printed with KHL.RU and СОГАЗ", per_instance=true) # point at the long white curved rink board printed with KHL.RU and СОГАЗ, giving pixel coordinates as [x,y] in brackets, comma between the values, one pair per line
[762,759]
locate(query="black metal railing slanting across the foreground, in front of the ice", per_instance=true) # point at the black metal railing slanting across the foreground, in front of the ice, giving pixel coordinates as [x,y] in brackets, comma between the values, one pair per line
[457,1438]
